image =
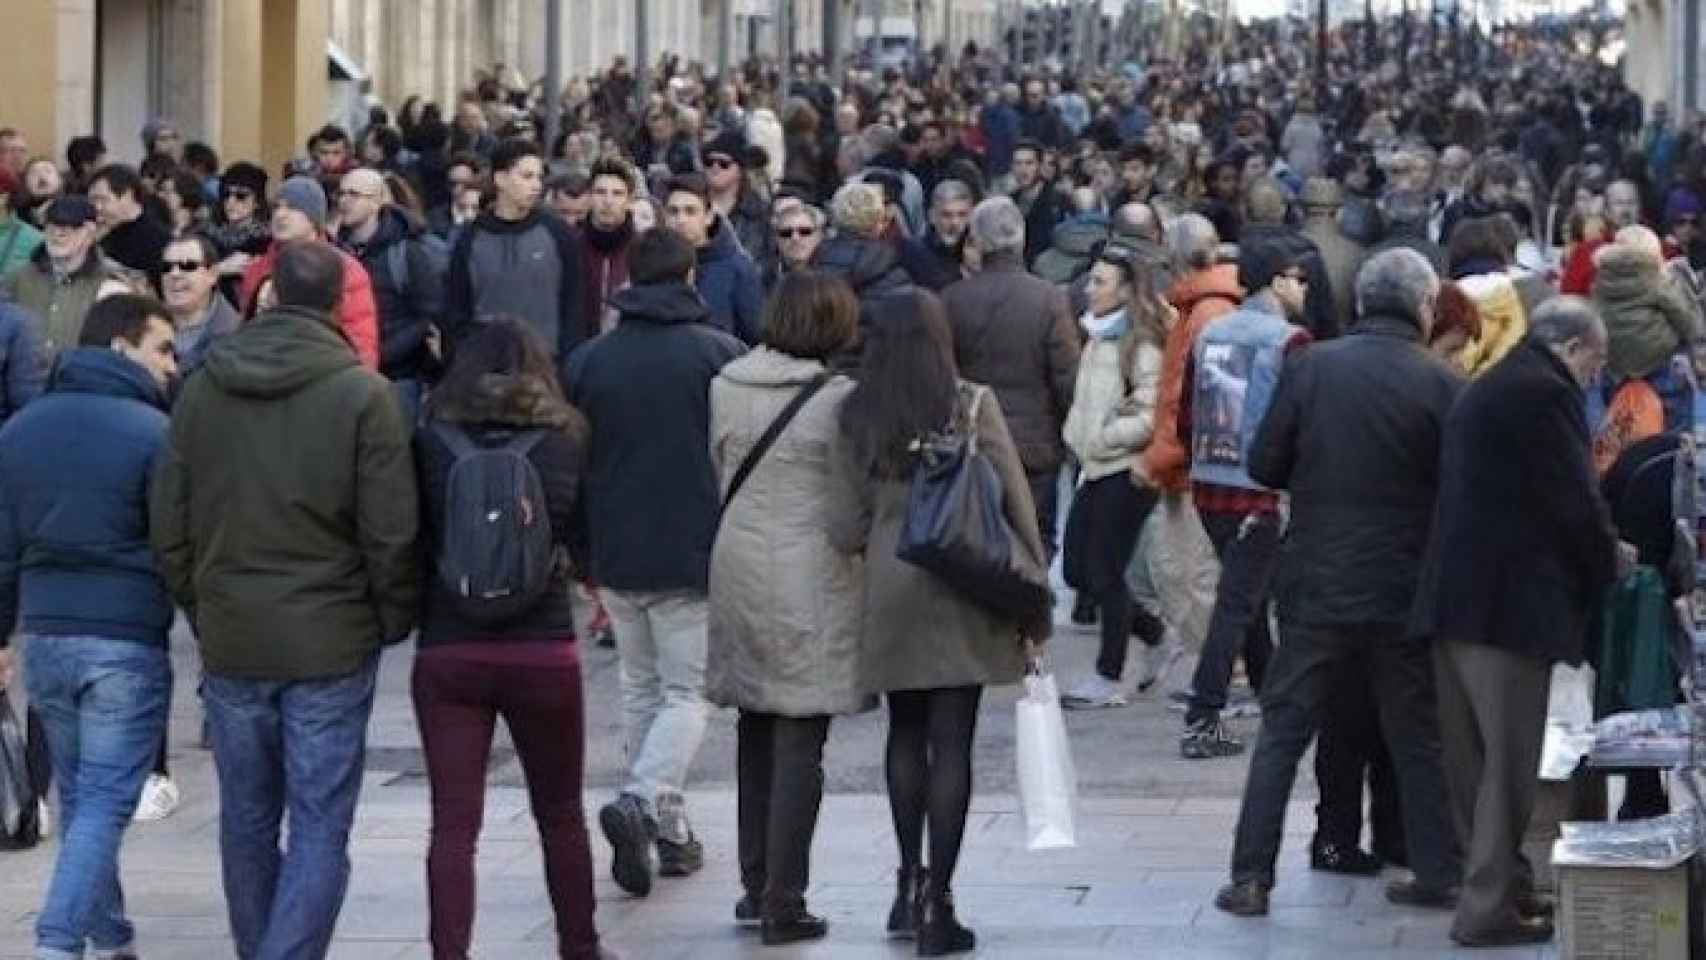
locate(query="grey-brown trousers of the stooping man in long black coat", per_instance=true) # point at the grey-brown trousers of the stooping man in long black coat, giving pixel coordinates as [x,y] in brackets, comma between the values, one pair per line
[1492,722]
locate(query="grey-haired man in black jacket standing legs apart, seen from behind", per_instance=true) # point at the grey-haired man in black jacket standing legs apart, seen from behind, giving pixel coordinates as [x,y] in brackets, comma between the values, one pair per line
[1354,434]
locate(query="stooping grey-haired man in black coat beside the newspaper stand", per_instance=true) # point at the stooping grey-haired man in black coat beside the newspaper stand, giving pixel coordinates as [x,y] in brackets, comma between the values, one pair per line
[1523,550]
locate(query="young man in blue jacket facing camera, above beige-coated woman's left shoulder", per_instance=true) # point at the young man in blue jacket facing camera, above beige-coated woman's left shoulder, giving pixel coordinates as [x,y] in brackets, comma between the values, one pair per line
[726,275]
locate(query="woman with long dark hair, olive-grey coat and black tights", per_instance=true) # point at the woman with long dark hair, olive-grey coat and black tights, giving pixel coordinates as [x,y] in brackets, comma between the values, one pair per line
[929,649]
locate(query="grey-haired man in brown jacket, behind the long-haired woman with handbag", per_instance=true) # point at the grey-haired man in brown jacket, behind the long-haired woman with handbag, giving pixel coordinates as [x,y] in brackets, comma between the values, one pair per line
[1016,333]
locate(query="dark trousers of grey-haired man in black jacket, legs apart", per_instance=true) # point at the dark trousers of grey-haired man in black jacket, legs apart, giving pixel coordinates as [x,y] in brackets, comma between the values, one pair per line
[1294,702]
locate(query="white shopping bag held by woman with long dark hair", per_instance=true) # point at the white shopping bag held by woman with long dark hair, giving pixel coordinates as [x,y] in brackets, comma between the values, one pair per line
[1048,785]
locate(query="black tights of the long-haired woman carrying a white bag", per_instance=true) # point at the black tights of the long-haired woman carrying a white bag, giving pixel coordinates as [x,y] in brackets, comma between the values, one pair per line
[929,768]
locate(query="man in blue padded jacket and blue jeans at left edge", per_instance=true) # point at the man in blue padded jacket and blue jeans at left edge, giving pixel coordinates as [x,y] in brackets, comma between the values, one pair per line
[79,579]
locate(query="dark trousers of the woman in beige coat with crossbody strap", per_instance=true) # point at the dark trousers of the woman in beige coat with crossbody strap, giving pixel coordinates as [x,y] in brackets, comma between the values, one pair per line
[780,763]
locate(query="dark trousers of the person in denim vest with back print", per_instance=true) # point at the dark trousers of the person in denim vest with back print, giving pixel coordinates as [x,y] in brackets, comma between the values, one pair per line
[1248,545]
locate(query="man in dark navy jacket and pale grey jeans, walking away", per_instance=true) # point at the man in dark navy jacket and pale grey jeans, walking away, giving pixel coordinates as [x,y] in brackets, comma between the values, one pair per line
[653,506]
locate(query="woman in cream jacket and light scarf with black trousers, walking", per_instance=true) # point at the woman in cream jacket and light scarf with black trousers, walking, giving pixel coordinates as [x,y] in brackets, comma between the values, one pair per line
[1111,422]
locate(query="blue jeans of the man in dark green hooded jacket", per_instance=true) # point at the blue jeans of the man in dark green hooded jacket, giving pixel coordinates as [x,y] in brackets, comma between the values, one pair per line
[287,746]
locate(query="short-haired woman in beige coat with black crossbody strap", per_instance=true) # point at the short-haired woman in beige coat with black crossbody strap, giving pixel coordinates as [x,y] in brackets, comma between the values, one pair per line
[786,606]
